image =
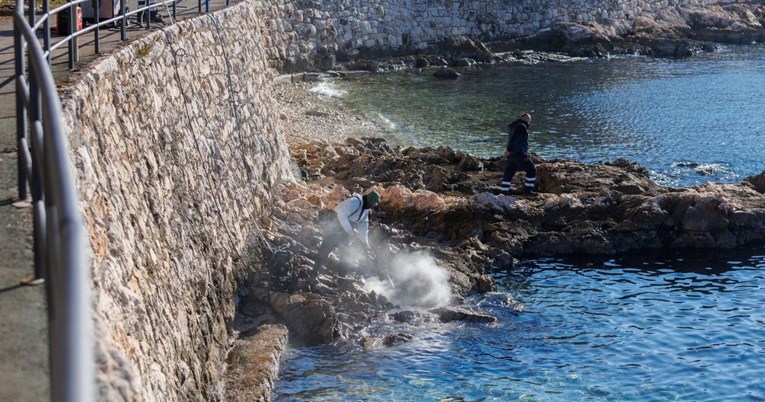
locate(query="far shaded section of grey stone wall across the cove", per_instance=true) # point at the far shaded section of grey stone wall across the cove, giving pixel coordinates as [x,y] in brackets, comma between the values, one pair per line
[308,34]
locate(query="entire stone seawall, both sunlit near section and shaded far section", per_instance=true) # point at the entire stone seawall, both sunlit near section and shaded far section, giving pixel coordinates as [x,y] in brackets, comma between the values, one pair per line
[177,151]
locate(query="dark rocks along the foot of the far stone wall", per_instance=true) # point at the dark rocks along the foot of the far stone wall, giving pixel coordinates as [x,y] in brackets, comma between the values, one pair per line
[676,32]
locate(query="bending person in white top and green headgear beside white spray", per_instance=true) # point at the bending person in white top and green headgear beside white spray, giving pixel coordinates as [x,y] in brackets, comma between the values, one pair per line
[339,230]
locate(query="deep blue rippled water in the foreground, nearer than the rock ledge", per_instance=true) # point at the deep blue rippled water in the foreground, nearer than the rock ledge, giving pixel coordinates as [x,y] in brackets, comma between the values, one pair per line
[644,328]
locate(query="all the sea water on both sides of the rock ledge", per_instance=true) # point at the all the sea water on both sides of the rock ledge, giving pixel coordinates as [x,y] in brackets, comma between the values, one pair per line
[686,326]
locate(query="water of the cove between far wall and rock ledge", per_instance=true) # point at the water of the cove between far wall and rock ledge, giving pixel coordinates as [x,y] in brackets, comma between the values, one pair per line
[688,121]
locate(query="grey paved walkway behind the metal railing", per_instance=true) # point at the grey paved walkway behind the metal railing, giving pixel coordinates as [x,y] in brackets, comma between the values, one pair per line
[24,368]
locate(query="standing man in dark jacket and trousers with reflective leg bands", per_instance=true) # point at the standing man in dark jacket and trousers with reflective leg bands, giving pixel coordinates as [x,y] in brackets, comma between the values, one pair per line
[517,154]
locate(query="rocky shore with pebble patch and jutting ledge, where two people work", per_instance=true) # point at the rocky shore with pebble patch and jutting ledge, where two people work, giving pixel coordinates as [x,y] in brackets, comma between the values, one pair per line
[442,212]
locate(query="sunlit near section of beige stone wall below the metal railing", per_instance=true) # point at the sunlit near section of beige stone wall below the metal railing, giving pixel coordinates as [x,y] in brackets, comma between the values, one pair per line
[176,149]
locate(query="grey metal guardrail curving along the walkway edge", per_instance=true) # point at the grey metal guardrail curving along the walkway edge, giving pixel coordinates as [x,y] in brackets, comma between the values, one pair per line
[44,170]
